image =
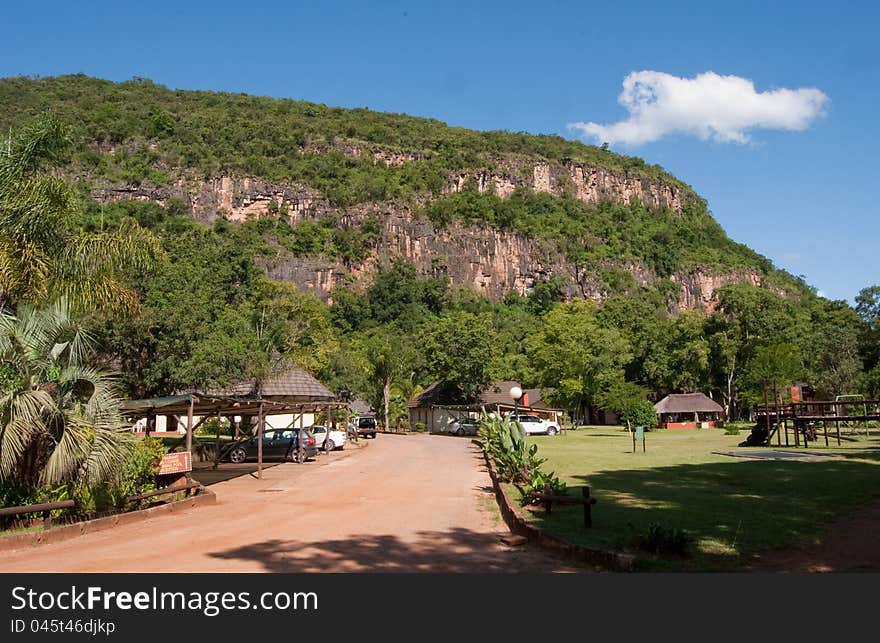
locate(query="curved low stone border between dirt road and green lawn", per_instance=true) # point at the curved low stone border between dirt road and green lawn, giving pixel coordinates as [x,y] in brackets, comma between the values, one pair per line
[556,544]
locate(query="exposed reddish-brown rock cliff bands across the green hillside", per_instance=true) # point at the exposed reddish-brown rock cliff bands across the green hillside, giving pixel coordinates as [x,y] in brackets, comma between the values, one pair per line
[491,261]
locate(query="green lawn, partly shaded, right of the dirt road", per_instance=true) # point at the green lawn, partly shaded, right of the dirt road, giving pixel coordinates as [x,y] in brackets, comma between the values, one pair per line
[733,507]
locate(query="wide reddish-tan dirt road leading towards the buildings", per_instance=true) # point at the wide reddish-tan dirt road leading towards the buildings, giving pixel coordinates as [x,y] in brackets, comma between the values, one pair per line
[406,503]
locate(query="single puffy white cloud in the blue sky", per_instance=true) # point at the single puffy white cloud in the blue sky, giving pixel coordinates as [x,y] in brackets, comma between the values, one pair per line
[710,106]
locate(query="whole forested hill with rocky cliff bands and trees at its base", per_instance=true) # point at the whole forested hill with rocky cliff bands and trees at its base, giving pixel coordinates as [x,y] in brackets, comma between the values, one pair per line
[382,252]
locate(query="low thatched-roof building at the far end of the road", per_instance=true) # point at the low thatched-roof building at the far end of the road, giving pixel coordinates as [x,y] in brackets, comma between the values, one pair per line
[439,405]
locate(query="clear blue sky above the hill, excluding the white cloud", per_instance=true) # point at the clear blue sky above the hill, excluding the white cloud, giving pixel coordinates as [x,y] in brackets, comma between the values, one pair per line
[807,199]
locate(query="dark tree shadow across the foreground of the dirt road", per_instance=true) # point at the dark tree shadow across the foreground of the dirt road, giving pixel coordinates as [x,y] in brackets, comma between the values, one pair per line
[453,551]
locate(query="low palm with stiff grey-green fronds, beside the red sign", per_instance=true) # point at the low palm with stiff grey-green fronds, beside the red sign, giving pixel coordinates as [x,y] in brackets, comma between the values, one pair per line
[59,417]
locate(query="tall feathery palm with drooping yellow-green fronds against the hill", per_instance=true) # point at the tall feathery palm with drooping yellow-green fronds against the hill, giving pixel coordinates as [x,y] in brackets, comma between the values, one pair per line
[42,255]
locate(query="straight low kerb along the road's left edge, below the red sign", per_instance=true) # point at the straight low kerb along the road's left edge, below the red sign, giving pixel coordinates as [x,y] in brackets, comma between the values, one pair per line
[65,532]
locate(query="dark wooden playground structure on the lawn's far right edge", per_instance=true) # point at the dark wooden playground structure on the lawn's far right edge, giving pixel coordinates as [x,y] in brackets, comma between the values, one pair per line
[806,417]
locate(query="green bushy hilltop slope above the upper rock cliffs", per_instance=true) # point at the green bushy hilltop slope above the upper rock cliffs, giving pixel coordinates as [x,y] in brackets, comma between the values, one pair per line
[273,138]
